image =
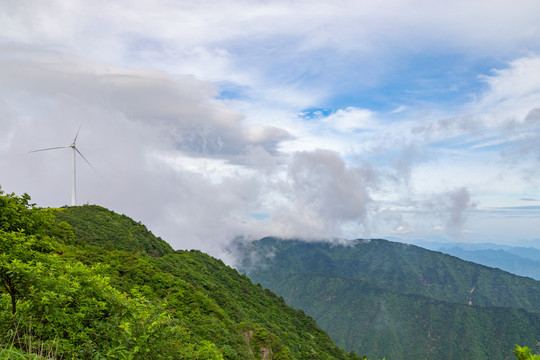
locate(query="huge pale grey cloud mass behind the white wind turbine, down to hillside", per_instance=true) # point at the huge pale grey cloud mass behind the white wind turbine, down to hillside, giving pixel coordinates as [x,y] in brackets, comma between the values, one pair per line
[137,126]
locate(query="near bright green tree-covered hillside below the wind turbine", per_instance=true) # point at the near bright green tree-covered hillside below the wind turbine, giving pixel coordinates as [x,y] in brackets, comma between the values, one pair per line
[86,283]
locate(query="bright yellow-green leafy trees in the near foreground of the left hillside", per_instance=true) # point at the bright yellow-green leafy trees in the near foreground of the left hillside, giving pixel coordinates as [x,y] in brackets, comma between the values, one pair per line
[75,306]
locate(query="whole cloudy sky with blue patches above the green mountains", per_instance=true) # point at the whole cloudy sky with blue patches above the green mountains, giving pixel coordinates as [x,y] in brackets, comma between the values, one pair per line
[208,120]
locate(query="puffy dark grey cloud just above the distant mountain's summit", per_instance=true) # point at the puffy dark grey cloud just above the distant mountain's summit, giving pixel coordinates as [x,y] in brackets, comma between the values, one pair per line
[325,193]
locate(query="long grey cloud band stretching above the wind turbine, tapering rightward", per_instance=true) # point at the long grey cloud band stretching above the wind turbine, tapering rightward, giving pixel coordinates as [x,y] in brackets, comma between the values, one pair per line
[182,108]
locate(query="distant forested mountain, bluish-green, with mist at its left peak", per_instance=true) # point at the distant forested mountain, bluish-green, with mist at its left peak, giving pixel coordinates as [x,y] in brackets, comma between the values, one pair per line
[389,299]
